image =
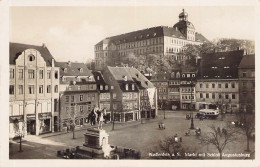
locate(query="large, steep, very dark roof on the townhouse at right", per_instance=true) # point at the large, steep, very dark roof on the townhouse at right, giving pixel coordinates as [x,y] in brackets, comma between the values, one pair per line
[220,65]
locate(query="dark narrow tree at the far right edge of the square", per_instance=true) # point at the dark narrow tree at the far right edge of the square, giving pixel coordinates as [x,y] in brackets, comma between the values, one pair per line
[247,125]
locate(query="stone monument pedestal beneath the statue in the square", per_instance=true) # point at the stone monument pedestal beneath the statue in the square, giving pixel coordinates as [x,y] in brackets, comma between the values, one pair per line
[96,144]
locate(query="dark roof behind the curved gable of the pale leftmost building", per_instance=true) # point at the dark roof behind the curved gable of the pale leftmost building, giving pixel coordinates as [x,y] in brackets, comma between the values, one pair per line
[15,49]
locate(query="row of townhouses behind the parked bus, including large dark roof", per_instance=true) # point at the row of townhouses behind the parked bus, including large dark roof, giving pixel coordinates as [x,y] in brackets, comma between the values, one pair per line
[225,79]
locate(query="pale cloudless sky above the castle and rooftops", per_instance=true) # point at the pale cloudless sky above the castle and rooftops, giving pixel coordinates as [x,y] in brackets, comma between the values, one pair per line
[70,33]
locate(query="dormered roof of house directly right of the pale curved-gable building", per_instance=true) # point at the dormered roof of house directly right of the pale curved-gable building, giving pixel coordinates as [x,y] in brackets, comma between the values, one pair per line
[73,69]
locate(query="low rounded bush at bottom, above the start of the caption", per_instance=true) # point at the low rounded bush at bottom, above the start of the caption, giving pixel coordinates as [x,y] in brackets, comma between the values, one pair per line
[171,149]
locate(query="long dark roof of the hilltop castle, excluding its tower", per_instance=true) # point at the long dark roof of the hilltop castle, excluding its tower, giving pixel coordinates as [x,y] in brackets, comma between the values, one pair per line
[148,34]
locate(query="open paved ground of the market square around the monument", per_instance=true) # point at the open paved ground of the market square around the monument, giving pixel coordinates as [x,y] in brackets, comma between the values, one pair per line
[134,135]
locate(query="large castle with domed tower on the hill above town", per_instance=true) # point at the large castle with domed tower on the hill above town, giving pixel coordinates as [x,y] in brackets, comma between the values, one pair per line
[161,40]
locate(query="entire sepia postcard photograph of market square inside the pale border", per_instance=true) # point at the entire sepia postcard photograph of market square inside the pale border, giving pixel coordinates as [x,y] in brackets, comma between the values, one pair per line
[131,83]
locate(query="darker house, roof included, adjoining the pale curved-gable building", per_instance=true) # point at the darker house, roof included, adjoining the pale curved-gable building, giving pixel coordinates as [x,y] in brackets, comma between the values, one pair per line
[78,93]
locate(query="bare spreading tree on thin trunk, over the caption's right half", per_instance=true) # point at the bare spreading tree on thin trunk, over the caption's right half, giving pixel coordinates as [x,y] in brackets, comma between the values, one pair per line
[219,137]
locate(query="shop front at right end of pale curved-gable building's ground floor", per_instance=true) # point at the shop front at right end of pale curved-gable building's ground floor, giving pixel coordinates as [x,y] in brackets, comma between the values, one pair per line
[45,122]
